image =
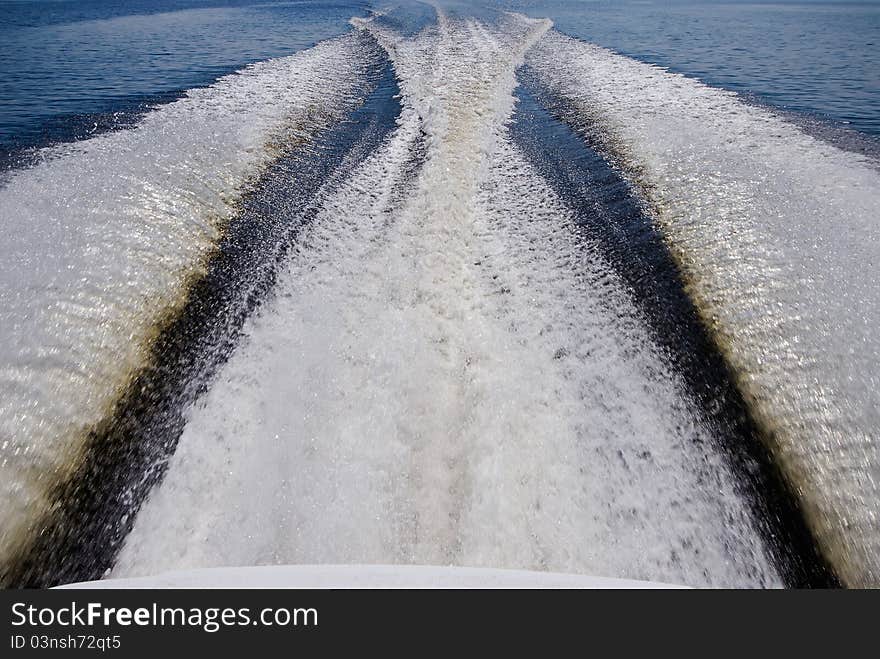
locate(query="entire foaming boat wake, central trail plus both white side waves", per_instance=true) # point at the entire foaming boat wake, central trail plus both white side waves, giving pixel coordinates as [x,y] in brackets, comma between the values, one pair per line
[448,365]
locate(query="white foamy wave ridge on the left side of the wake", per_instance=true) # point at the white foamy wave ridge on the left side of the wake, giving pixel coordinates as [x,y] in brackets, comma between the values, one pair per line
[101,238]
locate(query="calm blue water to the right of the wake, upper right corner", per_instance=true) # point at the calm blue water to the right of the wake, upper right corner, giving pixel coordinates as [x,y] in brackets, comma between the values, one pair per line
[818,57]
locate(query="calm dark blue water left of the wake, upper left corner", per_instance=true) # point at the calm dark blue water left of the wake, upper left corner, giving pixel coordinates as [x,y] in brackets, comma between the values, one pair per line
[69,68]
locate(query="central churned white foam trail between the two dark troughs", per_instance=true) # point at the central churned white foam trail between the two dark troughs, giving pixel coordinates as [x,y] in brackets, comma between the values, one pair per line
[448,373]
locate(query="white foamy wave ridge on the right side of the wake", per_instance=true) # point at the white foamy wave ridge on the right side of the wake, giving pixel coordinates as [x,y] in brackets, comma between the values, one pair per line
[780,238]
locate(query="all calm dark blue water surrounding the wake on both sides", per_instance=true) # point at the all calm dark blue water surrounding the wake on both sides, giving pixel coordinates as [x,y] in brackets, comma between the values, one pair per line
[70,68]
